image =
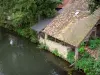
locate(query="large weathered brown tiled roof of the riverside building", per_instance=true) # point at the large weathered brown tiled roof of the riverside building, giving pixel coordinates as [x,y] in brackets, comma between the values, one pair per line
[74,23]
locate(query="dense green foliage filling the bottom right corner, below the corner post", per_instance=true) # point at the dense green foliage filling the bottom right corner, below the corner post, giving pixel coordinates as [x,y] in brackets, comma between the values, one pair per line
[89,65]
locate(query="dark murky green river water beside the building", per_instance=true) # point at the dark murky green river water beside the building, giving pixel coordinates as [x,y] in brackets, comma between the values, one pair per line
[18,56]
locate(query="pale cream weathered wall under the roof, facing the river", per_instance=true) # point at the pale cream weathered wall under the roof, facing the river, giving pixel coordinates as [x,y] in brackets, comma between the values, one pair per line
[62,50]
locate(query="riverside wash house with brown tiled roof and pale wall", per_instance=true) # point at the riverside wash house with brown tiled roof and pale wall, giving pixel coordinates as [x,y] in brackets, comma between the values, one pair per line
[72,26]
